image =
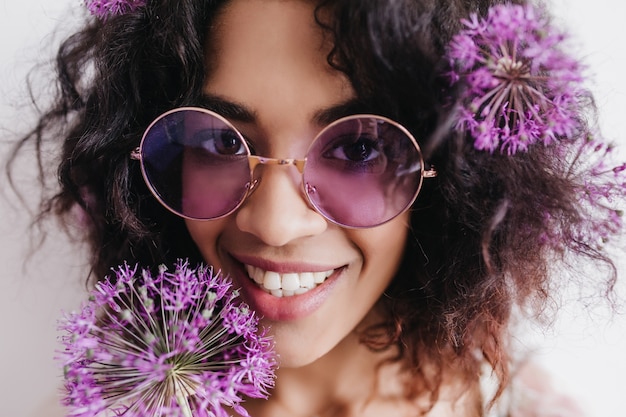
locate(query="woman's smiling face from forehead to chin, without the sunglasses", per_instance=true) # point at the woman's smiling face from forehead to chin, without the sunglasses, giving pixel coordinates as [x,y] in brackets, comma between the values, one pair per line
[268,72]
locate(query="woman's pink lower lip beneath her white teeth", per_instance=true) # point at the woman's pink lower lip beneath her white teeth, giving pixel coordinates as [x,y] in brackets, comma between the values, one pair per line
[284,308]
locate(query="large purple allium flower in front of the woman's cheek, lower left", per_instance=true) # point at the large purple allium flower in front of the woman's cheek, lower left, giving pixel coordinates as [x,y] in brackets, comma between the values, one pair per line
[172,344]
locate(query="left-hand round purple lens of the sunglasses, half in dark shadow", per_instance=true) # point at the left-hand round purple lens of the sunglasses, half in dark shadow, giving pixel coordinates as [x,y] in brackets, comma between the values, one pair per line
[195,163]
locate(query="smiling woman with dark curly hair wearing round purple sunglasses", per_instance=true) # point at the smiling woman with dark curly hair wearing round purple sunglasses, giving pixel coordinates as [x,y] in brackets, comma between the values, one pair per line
[392,294]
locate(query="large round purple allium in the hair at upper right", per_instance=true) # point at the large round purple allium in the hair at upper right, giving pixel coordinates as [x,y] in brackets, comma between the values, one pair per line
[518,86]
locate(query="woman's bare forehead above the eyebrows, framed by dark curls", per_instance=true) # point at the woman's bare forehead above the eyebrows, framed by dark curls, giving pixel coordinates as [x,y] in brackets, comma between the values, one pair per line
[271,56]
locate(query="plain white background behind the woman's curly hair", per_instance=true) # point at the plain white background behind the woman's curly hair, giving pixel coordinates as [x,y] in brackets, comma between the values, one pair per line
[584,350]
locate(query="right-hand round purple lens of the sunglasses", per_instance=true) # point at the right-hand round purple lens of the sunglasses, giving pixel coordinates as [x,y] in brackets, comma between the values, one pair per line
[363,171]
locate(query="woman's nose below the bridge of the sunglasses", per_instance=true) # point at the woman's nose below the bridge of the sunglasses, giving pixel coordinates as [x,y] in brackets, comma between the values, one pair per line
[277,211]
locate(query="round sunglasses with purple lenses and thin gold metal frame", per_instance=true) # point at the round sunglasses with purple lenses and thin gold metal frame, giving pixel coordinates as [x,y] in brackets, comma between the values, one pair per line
[360,171]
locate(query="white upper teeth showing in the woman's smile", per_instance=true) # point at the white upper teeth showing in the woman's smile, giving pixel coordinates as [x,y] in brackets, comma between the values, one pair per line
[287,284]
